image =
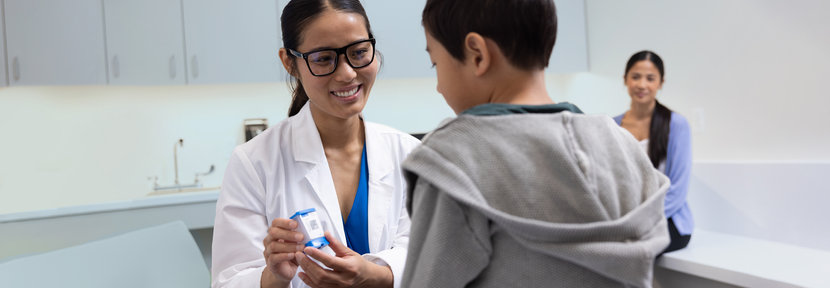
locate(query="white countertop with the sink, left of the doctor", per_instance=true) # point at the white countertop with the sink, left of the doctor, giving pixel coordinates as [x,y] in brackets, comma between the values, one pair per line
[49,229]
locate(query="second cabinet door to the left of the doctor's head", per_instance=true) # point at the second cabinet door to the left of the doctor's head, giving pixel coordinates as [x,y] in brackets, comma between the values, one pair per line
[145,42]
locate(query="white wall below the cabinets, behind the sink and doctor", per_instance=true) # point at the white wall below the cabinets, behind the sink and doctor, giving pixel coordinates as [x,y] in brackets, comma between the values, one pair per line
[62,146]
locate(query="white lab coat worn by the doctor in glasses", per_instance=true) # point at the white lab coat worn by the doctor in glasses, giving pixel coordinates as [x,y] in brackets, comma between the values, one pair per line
[284,170]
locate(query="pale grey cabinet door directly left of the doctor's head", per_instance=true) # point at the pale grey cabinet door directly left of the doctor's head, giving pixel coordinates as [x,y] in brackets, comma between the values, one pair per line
[230,41]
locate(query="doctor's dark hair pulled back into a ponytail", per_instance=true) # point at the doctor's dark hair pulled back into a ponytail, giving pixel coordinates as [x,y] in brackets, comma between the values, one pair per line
[295,17]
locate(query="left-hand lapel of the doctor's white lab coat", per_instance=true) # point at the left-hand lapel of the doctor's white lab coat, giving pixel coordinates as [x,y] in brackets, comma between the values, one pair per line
[308,148]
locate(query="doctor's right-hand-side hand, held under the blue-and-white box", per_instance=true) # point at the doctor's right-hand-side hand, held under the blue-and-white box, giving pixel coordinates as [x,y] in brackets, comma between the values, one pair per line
[349,269]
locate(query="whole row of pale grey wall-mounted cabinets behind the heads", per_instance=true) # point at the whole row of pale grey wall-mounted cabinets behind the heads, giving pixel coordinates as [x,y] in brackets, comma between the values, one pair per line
[171,42]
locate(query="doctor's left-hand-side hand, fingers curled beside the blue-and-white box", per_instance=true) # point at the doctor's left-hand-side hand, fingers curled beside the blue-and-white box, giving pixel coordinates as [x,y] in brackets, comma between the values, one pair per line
[280,245]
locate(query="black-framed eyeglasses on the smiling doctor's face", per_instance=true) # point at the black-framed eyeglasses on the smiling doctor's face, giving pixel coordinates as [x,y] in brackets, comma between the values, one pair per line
[323,62]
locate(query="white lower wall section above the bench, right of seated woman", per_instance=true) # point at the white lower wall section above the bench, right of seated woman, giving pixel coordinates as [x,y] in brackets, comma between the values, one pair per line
[780,202]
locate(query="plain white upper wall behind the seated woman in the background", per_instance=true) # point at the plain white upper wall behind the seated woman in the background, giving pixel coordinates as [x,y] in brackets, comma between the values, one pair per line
[749,74]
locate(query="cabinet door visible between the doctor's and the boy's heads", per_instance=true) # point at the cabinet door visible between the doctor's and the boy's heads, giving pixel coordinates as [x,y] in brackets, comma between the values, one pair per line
[400,37]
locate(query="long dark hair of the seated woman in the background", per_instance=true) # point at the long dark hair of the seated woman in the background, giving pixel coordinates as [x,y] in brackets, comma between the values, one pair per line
[658,133]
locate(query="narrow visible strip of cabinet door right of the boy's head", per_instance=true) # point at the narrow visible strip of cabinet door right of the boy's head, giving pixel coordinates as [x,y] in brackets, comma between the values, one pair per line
[570,54]
